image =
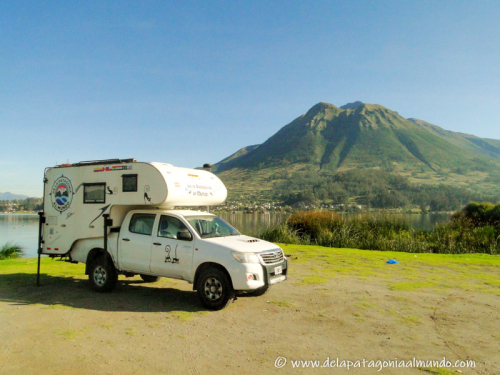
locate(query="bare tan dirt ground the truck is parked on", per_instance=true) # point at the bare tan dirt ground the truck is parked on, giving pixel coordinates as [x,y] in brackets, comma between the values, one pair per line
[162,328]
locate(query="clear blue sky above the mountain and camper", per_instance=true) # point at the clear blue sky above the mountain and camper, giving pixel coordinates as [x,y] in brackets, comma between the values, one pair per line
[189,82]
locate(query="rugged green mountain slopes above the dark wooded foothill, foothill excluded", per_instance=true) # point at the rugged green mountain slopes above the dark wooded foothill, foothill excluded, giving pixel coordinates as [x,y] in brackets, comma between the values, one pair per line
[328,140]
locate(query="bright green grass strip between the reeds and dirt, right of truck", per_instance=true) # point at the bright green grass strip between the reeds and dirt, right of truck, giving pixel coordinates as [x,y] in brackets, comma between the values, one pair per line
[415,272]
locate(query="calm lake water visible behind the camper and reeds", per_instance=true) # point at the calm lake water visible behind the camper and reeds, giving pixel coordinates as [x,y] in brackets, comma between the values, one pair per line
[23,229]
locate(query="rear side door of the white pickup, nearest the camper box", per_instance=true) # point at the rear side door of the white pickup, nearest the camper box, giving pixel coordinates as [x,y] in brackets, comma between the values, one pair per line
[134,248]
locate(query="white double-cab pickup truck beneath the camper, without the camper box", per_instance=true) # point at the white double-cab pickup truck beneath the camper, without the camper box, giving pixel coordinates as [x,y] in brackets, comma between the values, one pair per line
[195,246]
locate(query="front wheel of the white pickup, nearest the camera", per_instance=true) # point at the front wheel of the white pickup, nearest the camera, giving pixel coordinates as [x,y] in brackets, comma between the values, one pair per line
[215,289]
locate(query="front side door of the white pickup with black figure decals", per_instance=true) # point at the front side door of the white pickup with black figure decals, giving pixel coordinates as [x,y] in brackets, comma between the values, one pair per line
[171,256]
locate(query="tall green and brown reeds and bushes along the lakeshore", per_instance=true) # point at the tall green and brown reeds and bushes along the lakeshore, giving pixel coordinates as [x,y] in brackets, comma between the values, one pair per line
[463,234]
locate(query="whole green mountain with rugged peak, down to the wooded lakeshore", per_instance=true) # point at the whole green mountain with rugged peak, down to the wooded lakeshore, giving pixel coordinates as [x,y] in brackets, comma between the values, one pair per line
[362,144]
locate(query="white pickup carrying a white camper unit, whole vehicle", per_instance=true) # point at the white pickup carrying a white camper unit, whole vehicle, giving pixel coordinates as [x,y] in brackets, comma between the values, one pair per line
[118,217]
